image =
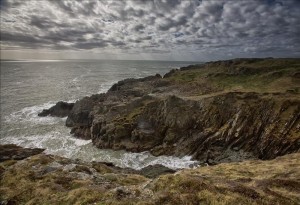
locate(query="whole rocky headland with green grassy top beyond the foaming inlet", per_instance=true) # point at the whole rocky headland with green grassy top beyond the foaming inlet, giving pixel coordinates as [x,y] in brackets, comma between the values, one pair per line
[216,112]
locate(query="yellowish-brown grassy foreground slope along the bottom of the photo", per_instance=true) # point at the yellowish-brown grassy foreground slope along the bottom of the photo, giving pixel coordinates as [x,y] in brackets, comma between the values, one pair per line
[47,179]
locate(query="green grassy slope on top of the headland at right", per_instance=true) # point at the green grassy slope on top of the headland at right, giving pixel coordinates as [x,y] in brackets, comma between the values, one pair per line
[259,76]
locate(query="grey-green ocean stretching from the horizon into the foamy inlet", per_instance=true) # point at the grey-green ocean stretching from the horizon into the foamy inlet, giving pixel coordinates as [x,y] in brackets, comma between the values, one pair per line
[28,87]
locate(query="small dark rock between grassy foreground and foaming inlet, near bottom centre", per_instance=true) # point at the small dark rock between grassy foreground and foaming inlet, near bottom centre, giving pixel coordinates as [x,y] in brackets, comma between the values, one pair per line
[153,171]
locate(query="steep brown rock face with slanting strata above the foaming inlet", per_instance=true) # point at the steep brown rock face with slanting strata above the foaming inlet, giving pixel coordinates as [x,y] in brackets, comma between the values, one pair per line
[214,129]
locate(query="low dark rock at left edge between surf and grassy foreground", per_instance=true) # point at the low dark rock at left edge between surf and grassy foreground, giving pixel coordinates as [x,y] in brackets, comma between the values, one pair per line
[14,152]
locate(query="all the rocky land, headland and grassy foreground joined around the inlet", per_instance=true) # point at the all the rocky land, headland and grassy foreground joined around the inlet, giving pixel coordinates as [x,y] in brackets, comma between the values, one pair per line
[240,115]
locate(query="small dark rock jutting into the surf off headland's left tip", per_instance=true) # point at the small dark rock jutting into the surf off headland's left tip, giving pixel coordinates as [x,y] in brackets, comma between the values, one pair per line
[61,109]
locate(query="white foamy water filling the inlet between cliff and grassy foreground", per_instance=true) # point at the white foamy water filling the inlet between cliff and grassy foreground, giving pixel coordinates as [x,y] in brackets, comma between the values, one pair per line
[63,144]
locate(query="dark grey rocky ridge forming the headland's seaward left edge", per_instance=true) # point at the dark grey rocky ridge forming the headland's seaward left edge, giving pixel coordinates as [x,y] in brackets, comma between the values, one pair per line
[82,114]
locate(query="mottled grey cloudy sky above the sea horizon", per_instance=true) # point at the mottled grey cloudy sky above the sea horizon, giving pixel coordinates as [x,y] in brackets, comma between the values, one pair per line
[183,30]
